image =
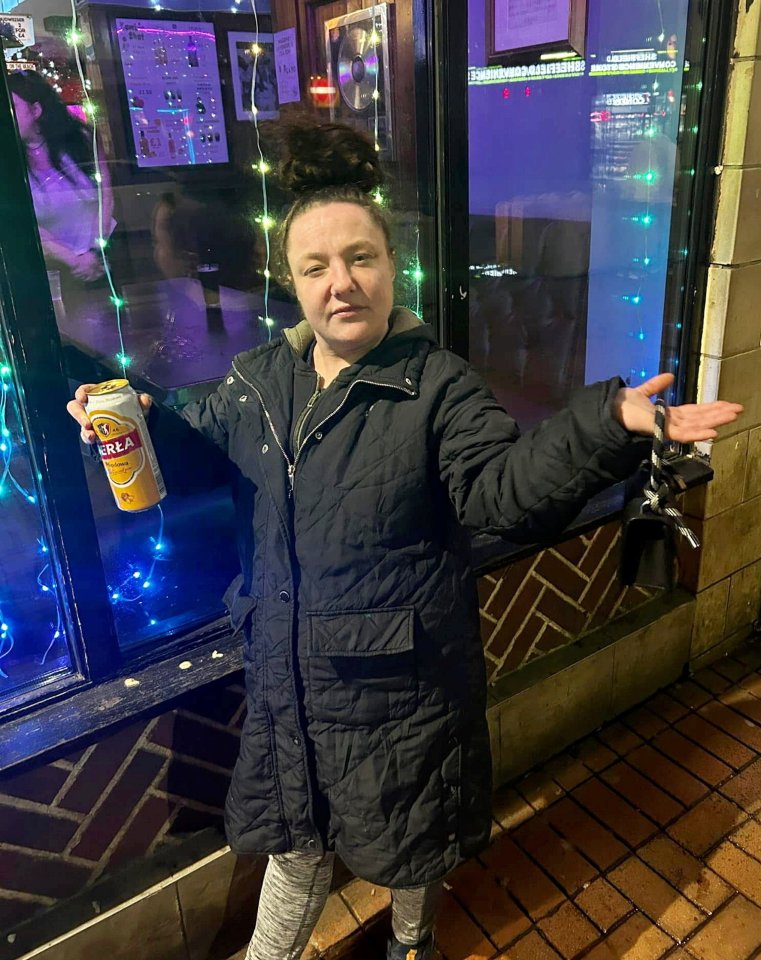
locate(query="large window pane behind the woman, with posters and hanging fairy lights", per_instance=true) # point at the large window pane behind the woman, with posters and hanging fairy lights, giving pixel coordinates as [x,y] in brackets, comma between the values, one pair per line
[149,131]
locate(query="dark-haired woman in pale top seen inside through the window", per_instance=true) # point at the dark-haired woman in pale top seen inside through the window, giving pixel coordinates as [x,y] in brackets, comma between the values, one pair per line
[62,177]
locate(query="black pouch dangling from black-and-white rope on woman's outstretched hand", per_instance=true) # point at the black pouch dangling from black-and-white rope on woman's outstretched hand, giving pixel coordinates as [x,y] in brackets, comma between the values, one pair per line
[651,522]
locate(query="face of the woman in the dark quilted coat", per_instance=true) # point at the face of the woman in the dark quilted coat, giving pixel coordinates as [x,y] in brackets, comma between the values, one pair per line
[343,274]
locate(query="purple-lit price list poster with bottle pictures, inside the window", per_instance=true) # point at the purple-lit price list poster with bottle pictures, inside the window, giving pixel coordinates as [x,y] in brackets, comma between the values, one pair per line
[171,77]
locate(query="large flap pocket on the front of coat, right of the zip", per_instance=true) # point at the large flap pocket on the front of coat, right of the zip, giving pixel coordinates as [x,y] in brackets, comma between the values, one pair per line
[361,666]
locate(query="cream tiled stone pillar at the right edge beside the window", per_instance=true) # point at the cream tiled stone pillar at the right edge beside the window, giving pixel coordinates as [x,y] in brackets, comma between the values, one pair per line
[727,514]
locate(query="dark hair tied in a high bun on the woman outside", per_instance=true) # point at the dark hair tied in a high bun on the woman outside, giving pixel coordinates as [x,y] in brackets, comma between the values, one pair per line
[326,163]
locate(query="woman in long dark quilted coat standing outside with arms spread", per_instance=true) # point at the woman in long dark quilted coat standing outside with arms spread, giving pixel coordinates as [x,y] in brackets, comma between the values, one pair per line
[366,456]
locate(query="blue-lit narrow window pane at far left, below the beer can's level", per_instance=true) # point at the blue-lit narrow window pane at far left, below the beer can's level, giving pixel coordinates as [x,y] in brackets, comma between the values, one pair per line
[34,627]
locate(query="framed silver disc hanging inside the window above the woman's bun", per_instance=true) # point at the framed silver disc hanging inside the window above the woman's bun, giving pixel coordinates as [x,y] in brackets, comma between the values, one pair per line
[357,52]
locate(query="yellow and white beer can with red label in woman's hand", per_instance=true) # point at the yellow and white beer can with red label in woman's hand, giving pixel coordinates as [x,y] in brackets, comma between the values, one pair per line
[125,446]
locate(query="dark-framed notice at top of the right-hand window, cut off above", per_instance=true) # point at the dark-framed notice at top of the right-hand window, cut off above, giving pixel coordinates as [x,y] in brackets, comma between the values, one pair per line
[523,31]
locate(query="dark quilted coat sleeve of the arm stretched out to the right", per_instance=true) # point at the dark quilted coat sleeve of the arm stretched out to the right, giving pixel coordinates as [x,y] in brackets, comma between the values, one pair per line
[528,487]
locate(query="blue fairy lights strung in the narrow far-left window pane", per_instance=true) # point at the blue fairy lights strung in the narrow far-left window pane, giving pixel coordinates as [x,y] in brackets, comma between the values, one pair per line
[9,482]
